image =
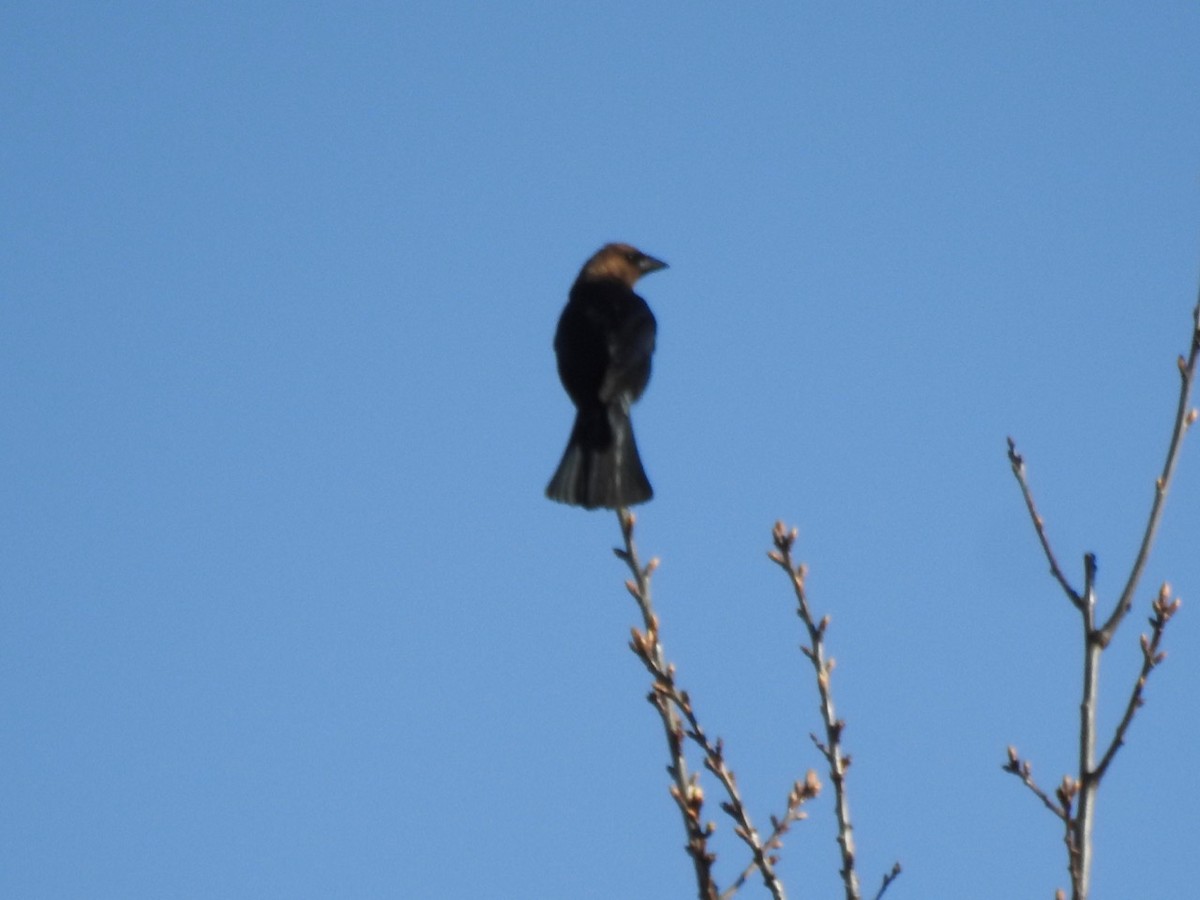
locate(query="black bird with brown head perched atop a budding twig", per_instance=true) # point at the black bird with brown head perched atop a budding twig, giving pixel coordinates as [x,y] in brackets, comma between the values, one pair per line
[603,345]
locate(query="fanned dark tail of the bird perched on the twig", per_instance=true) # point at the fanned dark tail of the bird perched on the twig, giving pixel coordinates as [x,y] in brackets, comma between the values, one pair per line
[601,466]
